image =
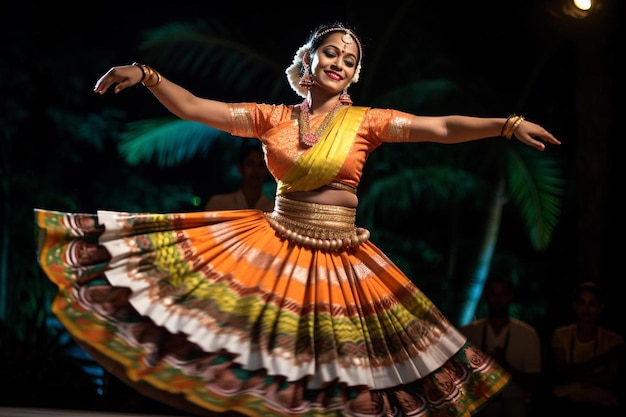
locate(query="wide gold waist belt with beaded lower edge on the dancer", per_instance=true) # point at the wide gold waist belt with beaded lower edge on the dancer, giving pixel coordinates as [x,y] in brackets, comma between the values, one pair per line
[317,226]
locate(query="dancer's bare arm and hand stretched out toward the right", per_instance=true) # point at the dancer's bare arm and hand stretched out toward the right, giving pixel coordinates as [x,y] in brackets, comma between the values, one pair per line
[457,129]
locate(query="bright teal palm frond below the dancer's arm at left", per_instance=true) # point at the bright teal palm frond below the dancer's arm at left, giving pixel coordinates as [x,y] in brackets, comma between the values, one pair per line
[167,141]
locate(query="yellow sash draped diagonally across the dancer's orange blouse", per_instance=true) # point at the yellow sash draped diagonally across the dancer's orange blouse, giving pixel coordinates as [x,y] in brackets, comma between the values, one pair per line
[322,162]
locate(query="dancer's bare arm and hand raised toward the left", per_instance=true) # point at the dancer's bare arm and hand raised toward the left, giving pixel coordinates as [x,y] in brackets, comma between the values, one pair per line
[175,98]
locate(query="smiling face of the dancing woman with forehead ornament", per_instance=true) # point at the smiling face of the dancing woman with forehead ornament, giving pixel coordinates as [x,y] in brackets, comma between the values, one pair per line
[334,63]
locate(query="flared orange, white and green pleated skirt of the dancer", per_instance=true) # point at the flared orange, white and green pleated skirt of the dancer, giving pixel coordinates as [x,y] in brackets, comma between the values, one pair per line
[219,312]
